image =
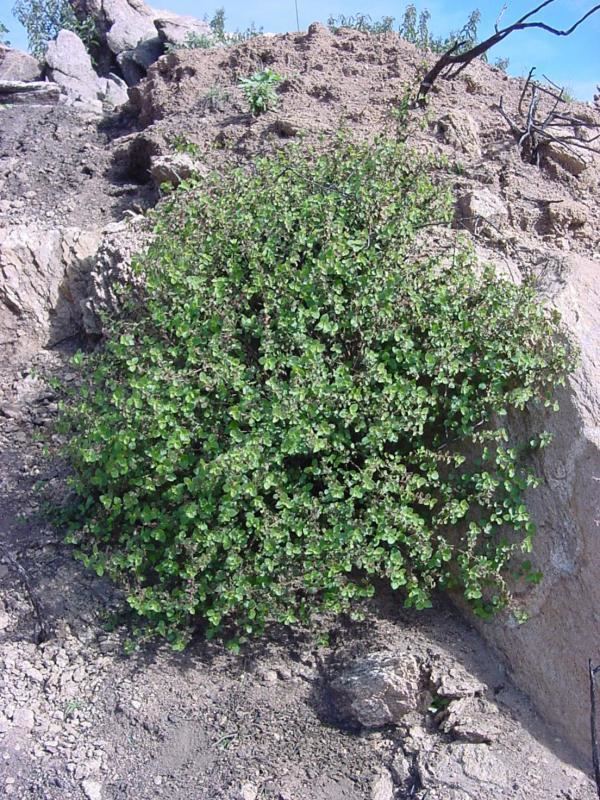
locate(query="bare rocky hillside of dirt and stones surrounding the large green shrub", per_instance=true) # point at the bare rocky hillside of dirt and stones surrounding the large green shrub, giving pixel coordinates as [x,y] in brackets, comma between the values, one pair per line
[406,705]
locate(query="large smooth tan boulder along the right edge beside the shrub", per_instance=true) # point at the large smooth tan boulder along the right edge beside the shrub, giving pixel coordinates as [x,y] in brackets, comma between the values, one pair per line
[549,653]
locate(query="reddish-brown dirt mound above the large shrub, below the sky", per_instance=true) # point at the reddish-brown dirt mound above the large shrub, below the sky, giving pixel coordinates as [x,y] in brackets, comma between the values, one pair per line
[353,80]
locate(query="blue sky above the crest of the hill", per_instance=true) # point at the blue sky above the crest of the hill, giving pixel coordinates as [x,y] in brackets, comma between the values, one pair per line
[573,61]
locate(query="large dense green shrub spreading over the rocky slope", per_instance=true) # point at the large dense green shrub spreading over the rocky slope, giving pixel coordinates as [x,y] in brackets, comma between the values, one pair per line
[304,398]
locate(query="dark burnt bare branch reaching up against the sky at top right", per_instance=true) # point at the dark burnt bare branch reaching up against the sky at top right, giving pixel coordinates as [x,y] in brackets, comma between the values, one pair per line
[452,58]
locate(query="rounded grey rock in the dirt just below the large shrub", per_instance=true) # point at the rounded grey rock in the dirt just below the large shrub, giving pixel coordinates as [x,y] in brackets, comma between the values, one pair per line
[378,690]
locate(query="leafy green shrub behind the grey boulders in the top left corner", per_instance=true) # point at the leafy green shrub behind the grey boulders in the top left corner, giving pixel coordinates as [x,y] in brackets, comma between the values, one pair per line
[44,19]
